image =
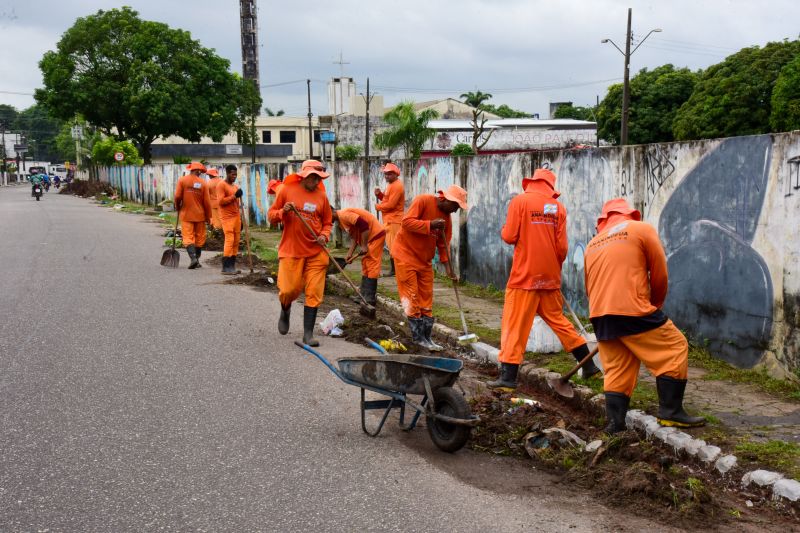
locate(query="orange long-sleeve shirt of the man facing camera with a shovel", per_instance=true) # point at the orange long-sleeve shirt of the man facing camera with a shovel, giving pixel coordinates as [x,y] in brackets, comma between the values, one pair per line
[314,207]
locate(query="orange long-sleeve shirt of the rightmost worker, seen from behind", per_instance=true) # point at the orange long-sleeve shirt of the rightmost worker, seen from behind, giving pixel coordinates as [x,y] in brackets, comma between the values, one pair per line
[625,269]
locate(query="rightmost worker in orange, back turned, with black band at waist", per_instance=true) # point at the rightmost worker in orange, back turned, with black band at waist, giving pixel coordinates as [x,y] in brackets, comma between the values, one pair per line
[626,280]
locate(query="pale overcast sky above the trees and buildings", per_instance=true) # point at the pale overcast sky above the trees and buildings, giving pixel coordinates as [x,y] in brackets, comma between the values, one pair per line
[526,53]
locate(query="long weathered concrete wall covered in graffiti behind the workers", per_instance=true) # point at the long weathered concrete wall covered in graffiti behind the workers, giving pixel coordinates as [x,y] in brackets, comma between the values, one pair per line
[726,210]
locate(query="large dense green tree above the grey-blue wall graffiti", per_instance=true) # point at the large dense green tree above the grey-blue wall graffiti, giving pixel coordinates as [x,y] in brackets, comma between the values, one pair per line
[734,97]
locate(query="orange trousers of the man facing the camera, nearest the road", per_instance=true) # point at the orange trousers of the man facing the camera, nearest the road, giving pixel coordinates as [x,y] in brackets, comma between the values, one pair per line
[296,274]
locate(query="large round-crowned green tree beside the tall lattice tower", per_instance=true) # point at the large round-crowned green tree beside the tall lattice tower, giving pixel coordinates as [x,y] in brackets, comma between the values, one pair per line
[140,80]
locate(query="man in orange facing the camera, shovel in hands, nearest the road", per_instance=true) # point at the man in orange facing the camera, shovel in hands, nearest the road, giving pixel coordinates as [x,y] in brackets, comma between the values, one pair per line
[302,260]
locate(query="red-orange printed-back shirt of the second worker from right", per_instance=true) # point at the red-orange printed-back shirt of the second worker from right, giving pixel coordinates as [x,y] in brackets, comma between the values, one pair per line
[536,224]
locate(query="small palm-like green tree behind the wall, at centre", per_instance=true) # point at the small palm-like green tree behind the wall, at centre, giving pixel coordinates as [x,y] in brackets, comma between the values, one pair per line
[407,129]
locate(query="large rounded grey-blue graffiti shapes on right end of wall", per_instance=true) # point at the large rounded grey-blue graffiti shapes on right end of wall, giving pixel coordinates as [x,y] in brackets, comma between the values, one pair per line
[720,287]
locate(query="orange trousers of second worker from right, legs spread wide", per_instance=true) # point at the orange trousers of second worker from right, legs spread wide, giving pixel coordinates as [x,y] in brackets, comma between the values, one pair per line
[520,308]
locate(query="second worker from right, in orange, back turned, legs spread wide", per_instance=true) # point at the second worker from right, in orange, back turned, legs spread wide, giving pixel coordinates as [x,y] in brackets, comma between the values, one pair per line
[536,225]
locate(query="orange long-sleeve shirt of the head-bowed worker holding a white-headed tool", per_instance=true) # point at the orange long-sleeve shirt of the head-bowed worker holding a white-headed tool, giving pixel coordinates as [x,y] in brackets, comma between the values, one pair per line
[416,244]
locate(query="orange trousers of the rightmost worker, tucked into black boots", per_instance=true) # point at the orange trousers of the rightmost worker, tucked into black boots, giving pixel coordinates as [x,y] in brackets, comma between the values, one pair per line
[664,351]
